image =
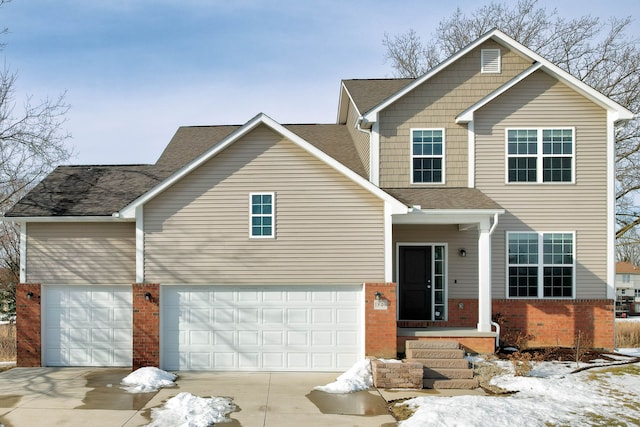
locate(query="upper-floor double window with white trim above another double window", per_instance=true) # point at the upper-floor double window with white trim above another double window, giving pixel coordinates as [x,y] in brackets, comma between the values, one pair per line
[540,155]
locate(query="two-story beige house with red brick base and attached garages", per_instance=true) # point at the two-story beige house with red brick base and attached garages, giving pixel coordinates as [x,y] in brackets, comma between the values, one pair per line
[480,191]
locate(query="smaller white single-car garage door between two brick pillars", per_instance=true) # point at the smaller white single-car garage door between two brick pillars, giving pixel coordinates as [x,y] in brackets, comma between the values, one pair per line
[87,325]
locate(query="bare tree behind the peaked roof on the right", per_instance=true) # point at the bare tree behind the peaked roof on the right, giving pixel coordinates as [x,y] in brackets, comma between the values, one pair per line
[600,53]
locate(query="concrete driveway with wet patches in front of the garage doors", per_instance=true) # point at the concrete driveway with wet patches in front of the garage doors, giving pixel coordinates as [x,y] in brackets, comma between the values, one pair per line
[92,396]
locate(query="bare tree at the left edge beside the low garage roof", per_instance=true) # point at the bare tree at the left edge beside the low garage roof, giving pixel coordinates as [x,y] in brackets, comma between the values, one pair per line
[32,143]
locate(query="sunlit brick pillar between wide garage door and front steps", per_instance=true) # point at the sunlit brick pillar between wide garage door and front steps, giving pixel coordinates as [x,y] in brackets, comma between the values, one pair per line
[380,325]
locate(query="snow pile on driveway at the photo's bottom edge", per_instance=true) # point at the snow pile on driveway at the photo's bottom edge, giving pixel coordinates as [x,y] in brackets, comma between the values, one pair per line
[187,410]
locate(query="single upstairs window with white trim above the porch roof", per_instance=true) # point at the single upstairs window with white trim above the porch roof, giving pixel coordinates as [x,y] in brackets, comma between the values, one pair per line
[427,156]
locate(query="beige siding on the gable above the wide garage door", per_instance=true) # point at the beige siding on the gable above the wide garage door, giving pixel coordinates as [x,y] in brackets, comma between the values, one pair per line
[328,229]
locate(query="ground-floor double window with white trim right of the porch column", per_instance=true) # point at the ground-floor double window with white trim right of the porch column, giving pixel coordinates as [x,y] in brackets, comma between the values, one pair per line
[540,265]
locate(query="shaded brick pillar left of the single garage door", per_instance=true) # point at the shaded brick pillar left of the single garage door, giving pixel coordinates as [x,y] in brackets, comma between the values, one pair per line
[28,325]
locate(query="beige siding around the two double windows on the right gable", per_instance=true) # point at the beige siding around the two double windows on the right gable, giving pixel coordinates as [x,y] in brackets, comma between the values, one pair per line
[542,101]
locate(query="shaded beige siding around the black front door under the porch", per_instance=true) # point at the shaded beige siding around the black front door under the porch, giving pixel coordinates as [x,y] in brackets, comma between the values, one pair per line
[462,281]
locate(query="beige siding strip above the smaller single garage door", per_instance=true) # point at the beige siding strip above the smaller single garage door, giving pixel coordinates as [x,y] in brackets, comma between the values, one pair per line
[81,253]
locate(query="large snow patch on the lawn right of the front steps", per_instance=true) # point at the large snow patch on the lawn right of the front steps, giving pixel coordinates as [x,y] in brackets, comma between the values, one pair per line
[549,395]
